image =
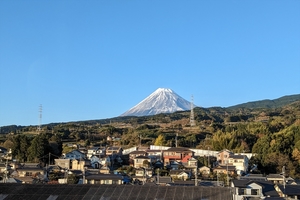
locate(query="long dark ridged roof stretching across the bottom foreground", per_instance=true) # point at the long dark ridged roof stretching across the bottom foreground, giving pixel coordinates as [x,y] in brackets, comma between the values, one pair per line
[112,192]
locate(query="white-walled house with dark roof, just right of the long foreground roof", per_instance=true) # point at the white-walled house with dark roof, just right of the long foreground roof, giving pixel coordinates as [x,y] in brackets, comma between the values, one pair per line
[244,189]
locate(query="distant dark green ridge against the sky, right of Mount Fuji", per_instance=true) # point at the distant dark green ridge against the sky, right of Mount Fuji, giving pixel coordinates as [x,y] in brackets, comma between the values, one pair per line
[267,103]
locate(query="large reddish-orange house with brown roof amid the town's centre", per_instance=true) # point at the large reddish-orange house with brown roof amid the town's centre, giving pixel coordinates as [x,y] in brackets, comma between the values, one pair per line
[176,154]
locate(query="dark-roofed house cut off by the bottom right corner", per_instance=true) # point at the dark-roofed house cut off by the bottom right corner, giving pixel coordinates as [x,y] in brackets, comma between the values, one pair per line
[288,191]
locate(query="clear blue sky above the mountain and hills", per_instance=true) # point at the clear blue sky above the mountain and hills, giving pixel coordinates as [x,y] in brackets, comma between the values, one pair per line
[87,60]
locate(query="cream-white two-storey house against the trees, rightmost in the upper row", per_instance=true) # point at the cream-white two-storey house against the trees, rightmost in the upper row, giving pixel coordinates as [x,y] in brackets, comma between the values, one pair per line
[241,163]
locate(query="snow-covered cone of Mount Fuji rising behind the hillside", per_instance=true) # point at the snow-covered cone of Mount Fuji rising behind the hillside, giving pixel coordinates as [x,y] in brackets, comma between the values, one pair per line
[162,100]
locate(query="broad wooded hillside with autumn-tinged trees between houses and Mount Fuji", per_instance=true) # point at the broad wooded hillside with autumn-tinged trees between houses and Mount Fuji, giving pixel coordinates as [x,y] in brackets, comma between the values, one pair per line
[273,134]
